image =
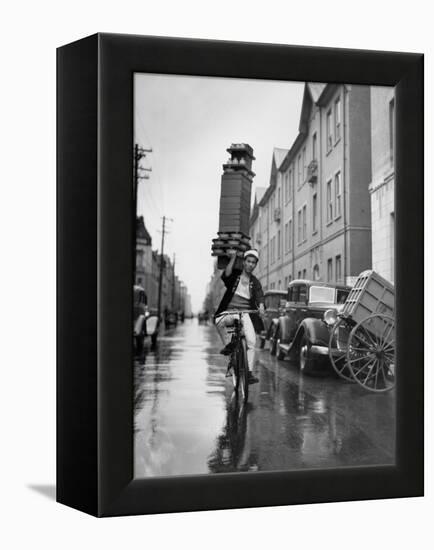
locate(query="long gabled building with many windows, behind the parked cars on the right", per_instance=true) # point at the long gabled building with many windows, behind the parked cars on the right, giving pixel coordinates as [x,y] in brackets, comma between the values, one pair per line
[314,220]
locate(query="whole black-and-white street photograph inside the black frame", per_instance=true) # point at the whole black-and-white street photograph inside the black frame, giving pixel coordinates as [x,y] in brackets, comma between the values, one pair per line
[264,297]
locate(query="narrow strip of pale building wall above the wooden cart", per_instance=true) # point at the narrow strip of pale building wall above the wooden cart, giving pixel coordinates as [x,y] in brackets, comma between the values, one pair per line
[382,185]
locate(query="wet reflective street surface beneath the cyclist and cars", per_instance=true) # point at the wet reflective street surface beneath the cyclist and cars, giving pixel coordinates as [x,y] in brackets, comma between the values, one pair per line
[187,420]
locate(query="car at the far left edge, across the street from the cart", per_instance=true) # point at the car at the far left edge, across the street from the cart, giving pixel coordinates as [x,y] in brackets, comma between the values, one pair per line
[145,323]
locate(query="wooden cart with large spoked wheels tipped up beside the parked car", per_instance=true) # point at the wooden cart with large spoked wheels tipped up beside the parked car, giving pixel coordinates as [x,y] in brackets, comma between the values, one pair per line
[362,341]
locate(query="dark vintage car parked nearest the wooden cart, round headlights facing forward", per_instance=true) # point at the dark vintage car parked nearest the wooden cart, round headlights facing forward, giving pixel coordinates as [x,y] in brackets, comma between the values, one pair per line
[301,331]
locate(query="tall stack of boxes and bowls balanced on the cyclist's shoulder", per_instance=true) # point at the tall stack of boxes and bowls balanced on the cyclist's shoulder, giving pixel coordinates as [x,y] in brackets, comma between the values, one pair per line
[235,195]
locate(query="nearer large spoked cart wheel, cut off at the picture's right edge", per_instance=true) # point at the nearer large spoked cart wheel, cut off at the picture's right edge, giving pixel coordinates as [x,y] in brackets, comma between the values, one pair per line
[371,353]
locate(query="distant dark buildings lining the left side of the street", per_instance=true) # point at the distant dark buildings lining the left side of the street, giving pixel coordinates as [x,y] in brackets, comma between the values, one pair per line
[174,294]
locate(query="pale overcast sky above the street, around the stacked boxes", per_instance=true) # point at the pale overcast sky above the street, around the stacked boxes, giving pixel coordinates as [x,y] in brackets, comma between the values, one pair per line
[189,122]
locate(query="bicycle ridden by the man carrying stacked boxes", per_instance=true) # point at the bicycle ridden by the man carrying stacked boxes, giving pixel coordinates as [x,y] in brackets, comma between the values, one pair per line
[238,357]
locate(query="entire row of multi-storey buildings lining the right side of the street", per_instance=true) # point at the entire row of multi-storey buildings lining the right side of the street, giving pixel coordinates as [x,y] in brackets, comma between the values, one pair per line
[327,212]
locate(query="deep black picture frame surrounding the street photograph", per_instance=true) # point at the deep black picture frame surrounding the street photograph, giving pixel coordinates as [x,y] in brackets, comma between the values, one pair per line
[95,227]
